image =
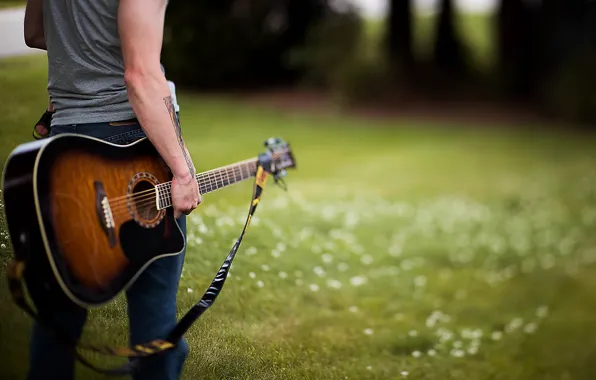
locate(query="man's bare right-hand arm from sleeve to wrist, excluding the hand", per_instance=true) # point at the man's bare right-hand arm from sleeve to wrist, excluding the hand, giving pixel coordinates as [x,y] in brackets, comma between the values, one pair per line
[140,24]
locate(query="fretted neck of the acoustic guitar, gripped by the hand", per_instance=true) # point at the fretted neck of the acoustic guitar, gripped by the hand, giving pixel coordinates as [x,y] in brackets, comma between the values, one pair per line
[211,180]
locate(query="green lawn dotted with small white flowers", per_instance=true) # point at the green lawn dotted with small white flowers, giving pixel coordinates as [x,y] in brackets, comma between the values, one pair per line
[441,251]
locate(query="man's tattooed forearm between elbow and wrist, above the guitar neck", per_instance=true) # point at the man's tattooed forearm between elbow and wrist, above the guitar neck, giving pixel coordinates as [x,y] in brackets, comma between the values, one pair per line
[150,98]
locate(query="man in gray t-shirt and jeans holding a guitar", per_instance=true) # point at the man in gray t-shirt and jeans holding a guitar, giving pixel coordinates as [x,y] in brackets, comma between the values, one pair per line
[105,80]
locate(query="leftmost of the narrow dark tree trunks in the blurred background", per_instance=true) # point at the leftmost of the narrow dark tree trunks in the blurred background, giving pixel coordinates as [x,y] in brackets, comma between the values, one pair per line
[398,35]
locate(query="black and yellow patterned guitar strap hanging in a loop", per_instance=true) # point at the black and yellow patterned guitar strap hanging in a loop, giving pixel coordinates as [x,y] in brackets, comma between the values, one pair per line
[139,354]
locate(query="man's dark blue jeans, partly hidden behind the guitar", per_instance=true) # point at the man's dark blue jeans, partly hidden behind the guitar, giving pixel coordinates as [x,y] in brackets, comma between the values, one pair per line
[151,298]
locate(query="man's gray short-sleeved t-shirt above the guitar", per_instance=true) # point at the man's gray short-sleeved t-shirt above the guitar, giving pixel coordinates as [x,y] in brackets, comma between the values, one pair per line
[86,68]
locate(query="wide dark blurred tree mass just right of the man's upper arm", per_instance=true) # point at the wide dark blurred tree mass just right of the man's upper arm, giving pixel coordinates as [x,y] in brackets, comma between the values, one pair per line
[236,43]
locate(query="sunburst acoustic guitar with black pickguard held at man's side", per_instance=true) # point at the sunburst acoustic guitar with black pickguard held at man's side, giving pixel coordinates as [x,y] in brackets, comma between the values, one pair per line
[89,216]
